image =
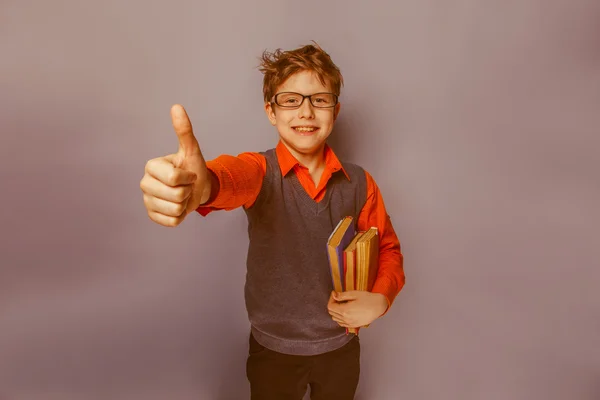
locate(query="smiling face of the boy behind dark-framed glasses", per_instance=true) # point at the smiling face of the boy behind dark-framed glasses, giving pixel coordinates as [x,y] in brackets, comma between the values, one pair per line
[304,129]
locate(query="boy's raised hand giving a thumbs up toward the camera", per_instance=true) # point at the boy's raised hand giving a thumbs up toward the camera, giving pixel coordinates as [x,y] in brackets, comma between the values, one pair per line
[176,184]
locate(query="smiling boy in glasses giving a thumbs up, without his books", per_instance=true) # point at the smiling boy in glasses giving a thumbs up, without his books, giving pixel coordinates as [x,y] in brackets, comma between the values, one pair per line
[294,195]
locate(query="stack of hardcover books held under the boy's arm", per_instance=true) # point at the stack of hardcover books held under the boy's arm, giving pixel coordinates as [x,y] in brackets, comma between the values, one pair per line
[353,258]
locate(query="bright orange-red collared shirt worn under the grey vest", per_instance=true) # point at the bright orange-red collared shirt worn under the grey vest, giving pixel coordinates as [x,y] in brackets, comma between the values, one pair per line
[240,179]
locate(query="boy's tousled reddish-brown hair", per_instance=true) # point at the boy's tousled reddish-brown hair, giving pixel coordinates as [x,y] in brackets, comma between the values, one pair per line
[280,65]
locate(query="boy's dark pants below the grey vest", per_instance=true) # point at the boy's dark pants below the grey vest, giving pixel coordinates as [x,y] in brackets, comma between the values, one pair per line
[276,376]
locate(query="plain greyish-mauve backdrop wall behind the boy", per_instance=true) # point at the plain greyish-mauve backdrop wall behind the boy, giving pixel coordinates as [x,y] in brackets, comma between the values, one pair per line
[478,119]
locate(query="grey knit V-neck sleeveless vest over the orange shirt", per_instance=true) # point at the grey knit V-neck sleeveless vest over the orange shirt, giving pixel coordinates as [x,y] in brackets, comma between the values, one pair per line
[288,281]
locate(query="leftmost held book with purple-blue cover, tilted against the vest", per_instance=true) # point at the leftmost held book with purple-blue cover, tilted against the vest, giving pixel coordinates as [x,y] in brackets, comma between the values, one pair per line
[339,239]
